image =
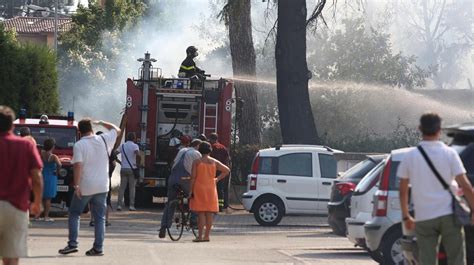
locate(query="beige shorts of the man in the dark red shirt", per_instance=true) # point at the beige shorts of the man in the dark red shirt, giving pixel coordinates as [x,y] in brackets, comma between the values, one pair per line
[13,231]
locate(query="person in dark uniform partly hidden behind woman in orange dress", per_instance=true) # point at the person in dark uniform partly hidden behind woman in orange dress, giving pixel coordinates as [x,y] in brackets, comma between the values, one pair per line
[219,152]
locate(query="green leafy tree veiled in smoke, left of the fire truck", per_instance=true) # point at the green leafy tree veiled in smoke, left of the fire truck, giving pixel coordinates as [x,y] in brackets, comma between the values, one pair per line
[88,52]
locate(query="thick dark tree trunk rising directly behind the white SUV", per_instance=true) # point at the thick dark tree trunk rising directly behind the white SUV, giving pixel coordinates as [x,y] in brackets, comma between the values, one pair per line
[296,118]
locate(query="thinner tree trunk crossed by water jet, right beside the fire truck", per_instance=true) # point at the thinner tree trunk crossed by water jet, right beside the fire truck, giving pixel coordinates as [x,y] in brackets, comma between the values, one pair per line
[243,65]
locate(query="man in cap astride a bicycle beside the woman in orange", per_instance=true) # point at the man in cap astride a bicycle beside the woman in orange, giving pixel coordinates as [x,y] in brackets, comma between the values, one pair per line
[180,174]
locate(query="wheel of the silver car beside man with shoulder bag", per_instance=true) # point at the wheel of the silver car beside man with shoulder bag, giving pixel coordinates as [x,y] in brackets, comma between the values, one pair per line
[391,248]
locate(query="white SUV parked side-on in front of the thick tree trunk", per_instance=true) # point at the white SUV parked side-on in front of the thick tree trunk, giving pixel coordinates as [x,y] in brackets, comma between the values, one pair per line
[290,179]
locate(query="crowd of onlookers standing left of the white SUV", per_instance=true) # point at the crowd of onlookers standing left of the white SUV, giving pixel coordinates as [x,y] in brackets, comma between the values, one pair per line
[198,168]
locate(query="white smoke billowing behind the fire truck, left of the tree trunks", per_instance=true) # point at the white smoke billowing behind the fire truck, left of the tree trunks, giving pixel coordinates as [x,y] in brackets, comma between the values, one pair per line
[165,32]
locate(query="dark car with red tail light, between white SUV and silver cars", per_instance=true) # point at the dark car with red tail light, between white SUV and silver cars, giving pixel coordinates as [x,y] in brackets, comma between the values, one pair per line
[341,192]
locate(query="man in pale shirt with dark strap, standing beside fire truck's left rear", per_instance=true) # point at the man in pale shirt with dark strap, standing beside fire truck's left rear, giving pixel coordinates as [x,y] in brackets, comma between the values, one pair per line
[130,161]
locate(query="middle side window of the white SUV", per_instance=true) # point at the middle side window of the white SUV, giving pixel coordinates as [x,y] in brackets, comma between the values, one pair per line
[300,164]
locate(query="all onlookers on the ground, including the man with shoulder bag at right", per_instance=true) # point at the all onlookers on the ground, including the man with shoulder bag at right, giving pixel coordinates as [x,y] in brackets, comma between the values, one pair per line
[200,168]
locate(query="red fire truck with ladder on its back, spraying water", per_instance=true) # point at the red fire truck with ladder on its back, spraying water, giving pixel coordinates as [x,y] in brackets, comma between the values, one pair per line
[160,109]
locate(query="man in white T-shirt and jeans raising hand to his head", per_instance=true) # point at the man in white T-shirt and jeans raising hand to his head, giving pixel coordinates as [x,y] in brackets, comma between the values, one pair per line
[91,182]
